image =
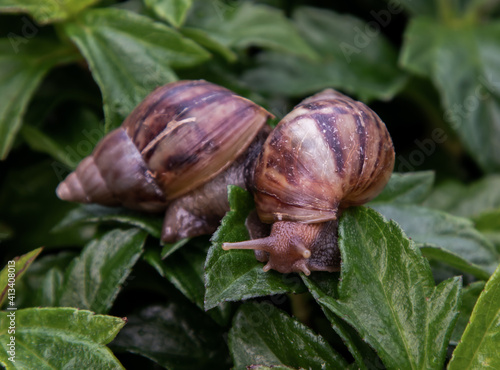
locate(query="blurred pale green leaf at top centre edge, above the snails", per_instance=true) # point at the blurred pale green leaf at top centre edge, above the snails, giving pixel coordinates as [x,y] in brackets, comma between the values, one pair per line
[243,24]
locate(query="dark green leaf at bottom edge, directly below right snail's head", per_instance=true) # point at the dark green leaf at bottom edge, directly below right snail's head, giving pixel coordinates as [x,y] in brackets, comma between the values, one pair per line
[262,334]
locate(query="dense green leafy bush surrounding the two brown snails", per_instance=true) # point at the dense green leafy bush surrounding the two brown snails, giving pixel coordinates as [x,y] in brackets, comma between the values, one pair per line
[419,286]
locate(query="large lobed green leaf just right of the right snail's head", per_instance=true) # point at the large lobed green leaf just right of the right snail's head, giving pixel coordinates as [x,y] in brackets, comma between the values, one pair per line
[388,295]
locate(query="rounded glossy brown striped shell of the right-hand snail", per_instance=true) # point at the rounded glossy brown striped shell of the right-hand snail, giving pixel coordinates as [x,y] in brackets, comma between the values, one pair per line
[330,152]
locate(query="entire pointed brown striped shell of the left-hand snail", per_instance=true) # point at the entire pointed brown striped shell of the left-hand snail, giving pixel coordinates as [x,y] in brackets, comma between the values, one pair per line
[179,137]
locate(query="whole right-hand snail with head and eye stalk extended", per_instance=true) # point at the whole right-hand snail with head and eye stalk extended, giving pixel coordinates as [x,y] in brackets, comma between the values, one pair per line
[329,153]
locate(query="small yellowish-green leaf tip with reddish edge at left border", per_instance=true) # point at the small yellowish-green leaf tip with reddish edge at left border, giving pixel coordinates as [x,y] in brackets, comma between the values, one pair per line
[12,273]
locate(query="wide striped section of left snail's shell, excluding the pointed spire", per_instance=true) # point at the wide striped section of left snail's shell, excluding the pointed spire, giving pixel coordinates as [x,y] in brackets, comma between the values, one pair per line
[190,131]
